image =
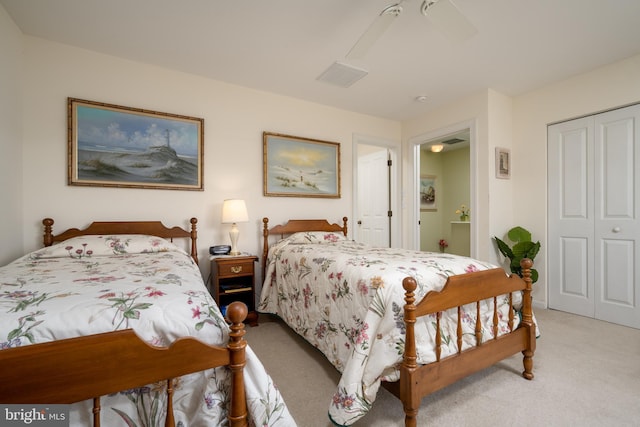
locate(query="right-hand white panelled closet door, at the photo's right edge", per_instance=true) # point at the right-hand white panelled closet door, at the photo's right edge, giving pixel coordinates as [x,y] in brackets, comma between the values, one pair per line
[617,225]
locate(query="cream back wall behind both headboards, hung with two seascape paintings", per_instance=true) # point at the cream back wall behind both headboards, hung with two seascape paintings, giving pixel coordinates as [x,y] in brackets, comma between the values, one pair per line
[235,118]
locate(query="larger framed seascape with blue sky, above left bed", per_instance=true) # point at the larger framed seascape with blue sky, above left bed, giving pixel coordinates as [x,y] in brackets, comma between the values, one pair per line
[115,146]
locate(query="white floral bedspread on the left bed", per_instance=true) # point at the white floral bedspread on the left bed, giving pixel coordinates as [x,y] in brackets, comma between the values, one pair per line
[95,284]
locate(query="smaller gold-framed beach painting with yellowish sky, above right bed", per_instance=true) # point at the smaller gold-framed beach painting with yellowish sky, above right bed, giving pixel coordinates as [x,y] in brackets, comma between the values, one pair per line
[300,167]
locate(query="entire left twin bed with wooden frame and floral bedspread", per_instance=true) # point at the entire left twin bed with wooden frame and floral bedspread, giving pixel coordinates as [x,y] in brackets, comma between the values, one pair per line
[117,311]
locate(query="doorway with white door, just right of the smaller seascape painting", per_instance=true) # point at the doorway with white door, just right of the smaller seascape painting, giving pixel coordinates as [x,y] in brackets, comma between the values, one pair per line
[375,213]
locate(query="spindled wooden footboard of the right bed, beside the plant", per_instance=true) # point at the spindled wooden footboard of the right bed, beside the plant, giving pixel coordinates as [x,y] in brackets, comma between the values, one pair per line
[417,381]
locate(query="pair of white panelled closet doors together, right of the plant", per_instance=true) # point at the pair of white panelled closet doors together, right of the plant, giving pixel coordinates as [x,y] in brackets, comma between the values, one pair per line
[594,189]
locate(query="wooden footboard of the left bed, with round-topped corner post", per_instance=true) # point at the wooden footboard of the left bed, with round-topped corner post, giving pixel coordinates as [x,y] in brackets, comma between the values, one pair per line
[77,369]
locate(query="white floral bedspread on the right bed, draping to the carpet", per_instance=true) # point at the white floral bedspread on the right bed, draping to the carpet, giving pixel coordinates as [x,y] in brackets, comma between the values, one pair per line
[347,300]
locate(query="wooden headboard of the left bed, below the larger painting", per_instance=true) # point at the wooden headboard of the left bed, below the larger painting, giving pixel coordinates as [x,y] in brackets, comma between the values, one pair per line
[151,228]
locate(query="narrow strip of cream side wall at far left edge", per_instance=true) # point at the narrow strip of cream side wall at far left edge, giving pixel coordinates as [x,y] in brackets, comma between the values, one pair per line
[11,195]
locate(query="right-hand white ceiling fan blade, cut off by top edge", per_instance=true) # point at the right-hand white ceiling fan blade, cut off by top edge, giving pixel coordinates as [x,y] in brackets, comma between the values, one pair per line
[448,19]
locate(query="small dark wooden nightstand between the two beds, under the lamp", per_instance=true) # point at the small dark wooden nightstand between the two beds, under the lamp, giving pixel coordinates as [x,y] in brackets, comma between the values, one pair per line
[233,279]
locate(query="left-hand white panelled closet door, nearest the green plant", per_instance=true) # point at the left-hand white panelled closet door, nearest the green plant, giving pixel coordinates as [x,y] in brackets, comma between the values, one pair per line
[571,217]
